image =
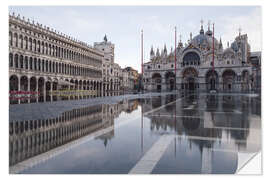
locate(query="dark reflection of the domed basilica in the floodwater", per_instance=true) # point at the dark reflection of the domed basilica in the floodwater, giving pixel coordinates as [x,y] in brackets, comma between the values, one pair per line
[227,117]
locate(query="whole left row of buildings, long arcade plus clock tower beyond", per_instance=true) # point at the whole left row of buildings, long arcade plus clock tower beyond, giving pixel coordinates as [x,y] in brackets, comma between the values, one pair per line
[46,65]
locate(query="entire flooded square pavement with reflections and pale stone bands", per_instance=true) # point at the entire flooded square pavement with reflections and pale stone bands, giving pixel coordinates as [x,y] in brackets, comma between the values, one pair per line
[153,133]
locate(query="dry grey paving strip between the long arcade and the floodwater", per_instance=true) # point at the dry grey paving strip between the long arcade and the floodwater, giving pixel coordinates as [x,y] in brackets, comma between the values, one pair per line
[47,110]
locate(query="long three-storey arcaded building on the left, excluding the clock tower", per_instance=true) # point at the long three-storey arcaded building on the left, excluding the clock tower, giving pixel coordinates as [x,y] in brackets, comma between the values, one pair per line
[42,60]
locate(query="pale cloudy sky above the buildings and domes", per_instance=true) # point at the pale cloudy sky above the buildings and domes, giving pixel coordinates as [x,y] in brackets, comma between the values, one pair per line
[123,24]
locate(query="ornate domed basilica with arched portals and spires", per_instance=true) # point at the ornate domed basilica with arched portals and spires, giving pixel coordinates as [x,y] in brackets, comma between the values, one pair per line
[203,64]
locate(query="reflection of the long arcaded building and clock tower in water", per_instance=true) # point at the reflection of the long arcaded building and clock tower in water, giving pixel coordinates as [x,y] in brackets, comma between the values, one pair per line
[32,137]
